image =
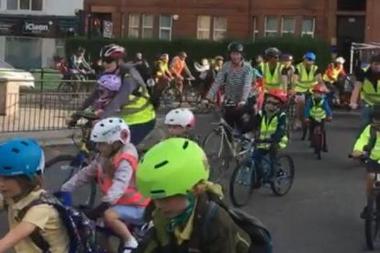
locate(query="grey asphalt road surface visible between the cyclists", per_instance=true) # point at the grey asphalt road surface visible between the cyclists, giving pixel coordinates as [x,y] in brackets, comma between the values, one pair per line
[321,212]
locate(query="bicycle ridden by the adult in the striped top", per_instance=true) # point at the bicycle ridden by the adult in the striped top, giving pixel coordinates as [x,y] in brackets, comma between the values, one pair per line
[222,147]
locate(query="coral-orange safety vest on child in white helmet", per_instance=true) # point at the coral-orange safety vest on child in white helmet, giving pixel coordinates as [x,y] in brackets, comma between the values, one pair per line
[131,195]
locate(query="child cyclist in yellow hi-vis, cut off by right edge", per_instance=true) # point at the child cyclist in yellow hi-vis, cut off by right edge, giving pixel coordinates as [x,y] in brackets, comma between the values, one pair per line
[368,145]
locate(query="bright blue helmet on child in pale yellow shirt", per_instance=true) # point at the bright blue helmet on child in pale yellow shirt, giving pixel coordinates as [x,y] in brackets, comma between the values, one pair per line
[21,156]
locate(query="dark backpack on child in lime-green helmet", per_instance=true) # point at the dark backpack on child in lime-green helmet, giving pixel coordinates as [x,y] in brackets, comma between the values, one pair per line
[261,239]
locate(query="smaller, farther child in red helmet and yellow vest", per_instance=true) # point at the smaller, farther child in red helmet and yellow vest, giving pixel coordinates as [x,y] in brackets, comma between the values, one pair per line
[317,110]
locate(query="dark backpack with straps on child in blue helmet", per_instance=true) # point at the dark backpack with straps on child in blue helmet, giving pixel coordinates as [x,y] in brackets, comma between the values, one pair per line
[81,230]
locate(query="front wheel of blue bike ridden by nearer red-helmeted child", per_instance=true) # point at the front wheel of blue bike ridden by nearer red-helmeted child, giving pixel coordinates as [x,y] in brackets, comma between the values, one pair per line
[241,183]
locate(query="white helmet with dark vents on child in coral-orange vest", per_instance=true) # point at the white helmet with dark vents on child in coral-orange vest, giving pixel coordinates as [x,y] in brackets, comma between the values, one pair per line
[110,130]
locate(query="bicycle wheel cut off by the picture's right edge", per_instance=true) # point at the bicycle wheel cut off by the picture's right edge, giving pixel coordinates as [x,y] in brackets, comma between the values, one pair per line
[372,222]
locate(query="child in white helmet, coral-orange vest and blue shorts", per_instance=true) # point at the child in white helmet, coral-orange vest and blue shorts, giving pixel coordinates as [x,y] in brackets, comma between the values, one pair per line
[114,168]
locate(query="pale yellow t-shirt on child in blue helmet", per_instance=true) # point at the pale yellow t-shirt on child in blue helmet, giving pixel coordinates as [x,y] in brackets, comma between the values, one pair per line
[44,217]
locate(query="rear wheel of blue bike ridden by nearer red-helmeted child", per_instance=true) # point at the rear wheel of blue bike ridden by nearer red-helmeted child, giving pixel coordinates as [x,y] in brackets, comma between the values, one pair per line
[283,175]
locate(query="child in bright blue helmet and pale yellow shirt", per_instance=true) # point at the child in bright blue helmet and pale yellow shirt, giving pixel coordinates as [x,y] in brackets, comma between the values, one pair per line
[21,166]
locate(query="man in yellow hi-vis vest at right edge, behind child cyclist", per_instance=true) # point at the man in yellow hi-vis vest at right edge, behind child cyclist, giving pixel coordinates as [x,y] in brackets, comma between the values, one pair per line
[368,86]
